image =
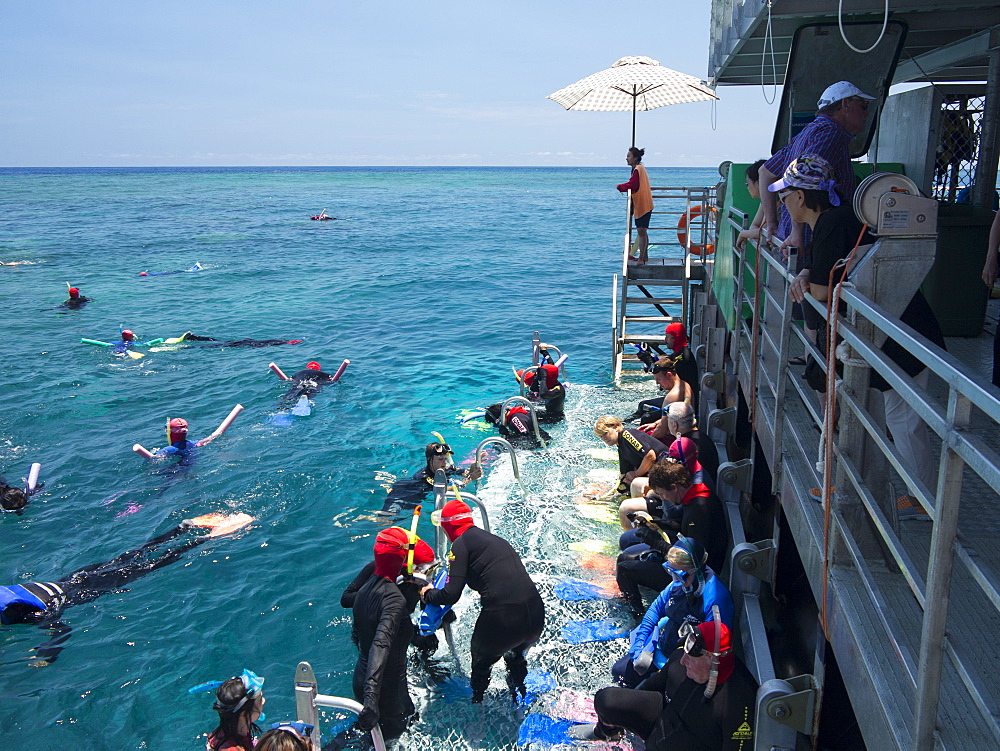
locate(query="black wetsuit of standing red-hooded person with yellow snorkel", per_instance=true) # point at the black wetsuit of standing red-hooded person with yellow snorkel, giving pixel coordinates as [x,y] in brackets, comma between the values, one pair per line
[383,629]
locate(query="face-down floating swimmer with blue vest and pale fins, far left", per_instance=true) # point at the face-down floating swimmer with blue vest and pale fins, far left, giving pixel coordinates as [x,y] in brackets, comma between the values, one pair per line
[42,603]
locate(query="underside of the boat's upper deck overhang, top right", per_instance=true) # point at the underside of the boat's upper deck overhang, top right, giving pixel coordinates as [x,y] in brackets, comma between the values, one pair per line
[948,40]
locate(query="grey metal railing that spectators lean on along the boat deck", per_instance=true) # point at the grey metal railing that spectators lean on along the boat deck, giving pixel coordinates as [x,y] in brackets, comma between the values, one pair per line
[863,532]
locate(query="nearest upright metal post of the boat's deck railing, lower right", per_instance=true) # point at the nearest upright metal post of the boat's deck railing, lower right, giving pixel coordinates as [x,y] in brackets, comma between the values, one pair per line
[939,579]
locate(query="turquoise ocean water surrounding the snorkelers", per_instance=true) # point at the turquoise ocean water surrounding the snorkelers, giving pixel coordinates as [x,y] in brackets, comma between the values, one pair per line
[432,289]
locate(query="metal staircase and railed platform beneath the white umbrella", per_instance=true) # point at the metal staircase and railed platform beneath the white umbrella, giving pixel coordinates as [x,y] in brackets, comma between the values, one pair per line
[646,298]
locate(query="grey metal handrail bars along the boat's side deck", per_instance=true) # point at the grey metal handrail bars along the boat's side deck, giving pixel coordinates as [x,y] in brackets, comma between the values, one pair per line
[960,450]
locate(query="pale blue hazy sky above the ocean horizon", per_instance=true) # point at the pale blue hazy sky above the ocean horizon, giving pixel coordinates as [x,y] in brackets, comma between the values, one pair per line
[303,83]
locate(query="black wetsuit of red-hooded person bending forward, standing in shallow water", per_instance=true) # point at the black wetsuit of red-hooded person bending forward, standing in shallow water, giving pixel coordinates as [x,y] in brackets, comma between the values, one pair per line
[512,615]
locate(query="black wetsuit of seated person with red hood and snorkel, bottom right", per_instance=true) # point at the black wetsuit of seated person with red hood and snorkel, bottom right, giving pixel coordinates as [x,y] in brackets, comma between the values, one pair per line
[686,721]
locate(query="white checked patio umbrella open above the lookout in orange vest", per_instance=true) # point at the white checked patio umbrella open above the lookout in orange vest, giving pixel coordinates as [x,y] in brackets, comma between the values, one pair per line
[633,83]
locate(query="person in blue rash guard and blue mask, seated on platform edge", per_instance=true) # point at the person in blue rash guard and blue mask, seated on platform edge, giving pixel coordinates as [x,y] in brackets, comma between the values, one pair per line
[687,599]
